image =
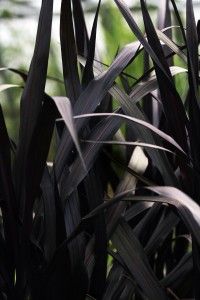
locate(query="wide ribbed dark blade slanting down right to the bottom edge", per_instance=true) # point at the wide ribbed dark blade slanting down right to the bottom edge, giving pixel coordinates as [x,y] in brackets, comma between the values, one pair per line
[136,261]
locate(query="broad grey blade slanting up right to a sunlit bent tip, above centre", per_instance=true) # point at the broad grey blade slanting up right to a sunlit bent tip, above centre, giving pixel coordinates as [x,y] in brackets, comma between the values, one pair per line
[91,97]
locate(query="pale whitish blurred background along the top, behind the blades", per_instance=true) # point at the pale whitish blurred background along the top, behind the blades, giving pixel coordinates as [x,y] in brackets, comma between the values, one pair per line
[19,24]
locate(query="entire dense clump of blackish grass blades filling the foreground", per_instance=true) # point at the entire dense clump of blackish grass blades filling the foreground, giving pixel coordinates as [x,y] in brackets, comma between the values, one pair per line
[116,214]
